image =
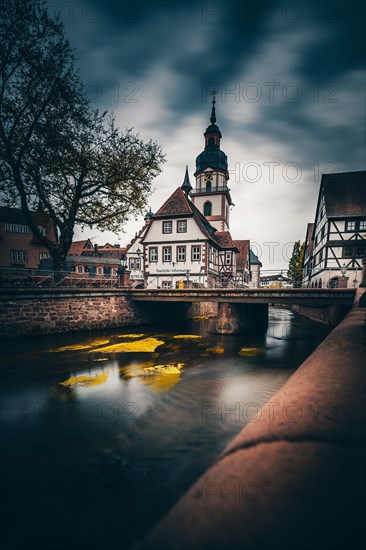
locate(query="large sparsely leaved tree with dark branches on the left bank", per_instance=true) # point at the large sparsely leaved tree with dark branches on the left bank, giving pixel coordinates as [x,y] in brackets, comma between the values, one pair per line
[57,155]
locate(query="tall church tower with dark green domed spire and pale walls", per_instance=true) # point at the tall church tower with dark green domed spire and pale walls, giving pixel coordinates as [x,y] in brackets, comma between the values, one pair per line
[212,195]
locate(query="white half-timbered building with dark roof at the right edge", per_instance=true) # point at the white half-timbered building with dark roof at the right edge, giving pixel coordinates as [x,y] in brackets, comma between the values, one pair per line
[336,242]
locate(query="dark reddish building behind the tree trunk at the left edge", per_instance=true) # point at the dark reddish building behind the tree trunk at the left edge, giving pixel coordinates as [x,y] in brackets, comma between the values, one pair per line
[18,246]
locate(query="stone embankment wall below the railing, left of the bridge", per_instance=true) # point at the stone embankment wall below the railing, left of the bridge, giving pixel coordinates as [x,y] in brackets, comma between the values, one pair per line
[39,311]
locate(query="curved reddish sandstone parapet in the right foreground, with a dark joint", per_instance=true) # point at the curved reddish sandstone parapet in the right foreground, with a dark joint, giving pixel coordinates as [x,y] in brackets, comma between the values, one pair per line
[294,477]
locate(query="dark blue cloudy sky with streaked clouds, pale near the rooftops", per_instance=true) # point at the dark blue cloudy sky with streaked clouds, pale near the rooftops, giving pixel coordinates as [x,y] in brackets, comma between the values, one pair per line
[290,105]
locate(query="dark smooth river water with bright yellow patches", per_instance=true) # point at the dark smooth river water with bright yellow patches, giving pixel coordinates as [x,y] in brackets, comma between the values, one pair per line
[95,466]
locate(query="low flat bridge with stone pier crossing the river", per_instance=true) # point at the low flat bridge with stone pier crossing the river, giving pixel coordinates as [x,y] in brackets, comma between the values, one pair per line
[242,308]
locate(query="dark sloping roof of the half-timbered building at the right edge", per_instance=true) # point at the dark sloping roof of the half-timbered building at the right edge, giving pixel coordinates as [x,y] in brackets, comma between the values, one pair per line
[344,193]
